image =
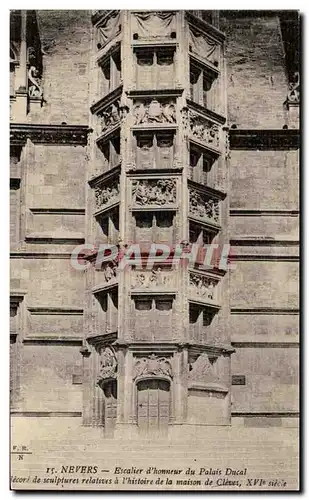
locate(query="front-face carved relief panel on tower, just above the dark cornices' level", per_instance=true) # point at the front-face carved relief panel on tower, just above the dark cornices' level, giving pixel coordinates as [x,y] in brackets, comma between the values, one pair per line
[154,111]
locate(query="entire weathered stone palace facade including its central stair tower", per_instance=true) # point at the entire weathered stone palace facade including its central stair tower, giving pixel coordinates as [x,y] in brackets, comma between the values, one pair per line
[154,127]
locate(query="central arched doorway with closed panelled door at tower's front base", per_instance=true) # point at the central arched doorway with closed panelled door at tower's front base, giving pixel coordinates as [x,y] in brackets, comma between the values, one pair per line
[153,406]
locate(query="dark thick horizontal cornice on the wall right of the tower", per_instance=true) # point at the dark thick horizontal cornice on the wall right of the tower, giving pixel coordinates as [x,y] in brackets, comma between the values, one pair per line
[272,139]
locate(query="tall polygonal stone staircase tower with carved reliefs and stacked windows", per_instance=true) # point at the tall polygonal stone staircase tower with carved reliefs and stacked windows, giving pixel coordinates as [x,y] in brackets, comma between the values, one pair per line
[156,355]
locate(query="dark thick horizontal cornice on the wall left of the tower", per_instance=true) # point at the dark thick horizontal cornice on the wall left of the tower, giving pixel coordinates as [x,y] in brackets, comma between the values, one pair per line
[48,134]
